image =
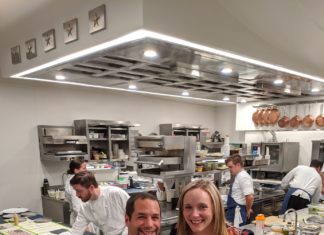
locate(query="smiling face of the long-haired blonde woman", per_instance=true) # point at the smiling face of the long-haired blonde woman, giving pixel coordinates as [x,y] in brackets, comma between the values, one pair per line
[198,211]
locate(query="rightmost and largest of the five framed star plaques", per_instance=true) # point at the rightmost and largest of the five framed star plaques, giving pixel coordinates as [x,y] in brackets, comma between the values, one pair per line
[97,19]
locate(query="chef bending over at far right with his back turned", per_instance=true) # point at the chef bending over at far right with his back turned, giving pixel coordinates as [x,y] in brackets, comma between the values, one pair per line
[304,185]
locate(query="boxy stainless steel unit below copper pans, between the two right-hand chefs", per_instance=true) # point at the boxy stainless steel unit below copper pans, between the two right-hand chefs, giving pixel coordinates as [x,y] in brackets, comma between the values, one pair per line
[283,155]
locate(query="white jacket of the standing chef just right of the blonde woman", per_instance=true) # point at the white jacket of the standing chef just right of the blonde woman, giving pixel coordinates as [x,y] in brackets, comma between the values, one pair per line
[242,186]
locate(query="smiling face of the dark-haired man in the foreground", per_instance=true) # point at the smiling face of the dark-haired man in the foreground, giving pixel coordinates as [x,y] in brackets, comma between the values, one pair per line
[145,219]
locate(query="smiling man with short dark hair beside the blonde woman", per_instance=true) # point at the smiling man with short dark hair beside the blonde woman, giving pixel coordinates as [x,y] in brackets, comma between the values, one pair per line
[143,215]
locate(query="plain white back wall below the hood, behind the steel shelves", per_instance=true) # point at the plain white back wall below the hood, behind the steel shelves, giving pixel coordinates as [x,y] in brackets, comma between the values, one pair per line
[26,104]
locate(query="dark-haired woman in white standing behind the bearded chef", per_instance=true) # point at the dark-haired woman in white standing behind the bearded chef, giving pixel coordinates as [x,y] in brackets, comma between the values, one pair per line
[75,167]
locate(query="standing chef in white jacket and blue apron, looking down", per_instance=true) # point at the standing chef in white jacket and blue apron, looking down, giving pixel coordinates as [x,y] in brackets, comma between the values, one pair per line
[241,191]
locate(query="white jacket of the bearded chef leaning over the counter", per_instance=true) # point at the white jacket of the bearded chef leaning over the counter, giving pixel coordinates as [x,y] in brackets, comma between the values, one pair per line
[107,212]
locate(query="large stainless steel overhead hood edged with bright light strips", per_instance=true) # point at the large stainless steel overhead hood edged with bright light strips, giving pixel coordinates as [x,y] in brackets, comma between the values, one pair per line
[178,66]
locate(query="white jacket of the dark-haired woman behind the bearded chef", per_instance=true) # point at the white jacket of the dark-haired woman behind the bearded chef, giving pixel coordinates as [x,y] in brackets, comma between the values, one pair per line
[73,200]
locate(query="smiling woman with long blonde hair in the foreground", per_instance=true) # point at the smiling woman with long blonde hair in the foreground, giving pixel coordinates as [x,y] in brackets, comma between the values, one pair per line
[201,210]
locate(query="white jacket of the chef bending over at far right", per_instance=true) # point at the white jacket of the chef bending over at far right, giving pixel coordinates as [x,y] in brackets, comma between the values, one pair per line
[305,178]
